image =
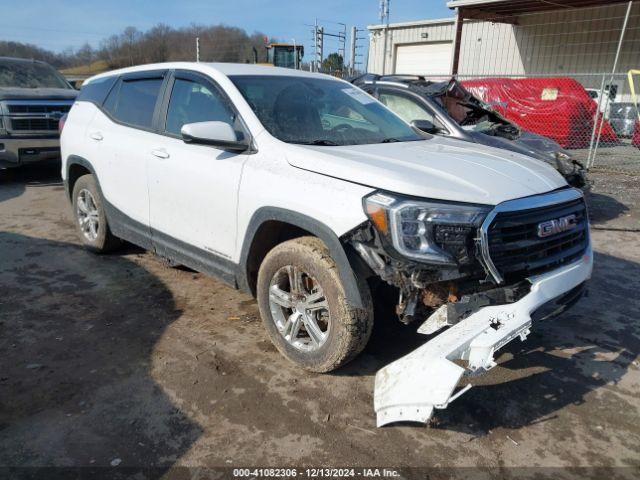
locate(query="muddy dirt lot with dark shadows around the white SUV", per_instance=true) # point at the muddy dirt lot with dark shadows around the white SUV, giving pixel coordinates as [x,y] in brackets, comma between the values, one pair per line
[118,359]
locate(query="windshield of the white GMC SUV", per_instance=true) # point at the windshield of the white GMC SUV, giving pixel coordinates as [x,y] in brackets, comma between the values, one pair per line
[316,111]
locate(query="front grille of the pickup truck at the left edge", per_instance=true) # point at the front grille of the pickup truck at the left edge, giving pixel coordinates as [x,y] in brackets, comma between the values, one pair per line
[37,116]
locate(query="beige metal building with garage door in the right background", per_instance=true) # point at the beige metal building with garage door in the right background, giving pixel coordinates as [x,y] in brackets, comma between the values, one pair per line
[514,37]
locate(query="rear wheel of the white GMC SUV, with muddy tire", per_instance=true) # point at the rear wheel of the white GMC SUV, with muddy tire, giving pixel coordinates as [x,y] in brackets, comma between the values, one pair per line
[90,218]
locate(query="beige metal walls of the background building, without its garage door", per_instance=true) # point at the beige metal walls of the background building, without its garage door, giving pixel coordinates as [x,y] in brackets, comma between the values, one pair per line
[558,42]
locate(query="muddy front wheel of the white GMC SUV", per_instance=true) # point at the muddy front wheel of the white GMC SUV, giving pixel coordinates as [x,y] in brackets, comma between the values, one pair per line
[304,308]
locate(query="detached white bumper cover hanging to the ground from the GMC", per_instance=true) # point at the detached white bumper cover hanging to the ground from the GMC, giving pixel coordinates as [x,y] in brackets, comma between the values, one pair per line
[412,386]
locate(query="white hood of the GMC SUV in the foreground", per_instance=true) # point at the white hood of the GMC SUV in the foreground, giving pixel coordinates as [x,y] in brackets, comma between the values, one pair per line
[437,168]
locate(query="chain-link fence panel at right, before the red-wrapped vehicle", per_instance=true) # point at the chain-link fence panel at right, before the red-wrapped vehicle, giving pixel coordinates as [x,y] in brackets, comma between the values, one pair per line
[563,74]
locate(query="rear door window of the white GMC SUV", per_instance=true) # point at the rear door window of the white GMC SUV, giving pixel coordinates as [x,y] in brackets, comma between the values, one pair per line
[133,101]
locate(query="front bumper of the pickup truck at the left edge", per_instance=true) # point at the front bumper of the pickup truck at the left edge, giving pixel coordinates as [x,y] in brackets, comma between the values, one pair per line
[20,151]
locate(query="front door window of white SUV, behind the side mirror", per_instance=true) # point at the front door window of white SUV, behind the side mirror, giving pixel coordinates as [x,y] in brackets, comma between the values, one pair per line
[193,102]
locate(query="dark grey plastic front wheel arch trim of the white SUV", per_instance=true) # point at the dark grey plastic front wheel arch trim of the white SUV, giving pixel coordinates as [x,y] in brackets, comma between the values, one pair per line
[270,226]
